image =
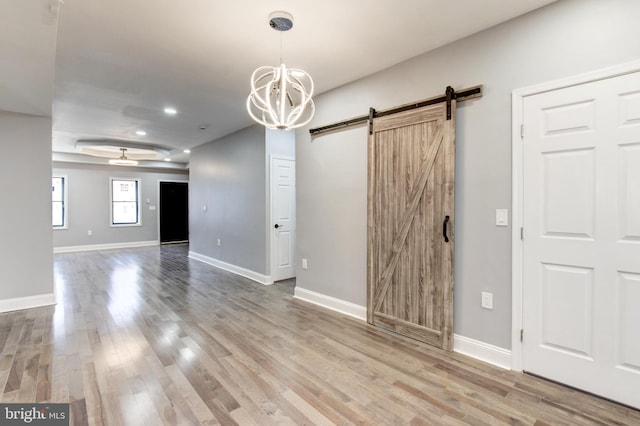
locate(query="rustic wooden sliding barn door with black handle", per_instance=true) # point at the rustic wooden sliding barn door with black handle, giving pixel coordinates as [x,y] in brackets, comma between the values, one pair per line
[410,224]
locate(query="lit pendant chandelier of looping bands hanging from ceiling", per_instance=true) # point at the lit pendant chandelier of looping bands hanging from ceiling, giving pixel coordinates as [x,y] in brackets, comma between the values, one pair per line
[281,97]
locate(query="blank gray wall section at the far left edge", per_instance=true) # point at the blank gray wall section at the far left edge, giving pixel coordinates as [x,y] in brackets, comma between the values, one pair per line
[26,257]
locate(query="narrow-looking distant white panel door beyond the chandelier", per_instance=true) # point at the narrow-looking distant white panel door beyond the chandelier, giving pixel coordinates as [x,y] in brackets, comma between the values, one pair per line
[283,218]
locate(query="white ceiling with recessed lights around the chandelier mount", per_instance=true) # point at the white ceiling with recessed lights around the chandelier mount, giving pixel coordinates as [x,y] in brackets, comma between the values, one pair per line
[118,63]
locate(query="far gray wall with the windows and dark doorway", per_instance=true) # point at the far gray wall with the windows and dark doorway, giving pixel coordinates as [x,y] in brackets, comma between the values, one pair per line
[88,197]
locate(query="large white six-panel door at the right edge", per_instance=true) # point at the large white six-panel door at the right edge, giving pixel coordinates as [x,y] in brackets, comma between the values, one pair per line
[581,216]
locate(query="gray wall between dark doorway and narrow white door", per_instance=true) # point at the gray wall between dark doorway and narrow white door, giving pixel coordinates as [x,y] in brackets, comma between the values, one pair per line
[227,176]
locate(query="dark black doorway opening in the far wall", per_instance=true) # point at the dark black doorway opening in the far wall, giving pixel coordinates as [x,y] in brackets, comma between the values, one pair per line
[174,212]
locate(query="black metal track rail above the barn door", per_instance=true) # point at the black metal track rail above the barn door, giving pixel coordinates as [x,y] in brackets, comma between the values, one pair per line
[450,94]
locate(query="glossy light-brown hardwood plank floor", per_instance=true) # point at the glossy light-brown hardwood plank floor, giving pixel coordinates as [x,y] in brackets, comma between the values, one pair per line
[149,337]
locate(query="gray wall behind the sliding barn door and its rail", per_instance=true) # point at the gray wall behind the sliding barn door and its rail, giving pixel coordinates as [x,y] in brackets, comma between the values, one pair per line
[563,39]
